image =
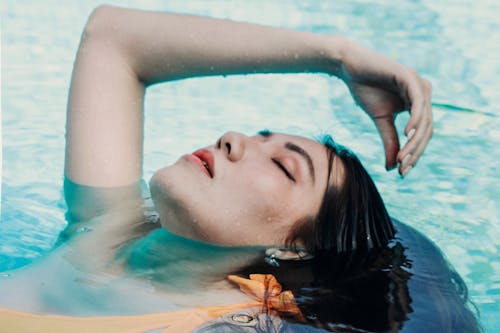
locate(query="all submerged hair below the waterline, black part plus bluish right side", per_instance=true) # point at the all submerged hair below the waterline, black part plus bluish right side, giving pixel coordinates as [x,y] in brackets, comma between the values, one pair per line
[407,283]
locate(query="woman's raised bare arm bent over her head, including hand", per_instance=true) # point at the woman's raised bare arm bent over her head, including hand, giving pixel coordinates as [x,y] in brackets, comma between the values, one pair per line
[122,51]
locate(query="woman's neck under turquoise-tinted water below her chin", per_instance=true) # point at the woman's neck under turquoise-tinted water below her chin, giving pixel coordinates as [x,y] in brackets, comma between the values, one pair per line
[171,262]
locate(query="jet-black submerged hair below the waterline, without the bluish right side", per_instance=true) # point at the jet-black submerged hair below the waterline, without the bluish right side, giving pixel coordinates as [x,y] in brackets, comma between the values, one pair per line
[349,292]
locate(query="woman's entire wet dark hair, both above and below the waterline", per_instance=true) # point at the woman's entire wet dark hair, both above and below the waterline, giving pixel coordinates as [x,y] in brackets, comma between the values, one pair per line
[358,277]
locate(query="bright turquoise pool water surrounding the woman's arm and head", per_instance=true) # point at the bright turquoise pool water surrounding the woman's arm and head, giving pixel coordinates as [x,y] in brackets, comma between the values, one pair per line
[451,196]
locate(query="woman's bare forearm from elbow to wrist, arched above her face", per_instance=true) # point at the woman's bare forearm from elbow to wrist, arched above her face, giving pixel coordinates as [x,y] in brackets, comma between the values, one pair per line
[162,47]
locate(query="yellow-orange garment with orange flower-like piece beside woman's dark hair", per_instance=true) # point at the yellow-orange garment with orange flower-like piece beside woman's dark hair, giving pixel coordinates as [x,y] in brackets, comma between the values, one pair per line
[264,288]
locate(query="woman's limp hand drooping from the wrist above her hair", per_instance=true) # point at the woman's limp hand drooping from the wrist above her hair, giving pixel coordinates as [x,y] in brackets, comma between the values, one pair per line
[383,88]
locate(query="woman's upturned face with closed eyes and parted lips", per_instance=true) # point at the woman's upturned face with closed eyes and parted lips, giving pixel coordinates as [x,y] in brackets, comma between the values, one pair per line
[243,190]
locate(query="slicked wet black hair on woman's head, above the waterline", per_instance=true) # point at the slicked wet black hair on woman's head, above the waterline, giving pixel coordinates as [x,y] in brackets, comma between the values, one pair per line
[352,216]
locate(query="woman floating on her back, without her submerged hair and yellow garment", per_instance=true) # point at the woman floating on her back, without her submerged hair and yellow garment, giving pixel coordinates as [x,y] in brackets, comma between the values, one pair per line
[308,199]
